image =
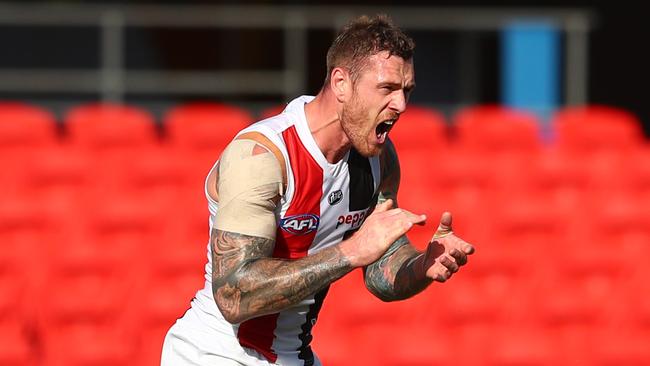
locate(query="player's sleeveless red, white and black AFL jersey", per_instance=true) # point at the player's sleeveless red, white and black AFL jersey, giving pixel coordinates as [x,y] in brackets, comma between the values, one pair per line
[322,204]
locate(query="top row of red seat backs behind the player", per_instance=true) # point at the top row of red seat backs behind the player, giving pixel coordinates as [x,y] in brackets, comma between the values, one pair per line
[209,125]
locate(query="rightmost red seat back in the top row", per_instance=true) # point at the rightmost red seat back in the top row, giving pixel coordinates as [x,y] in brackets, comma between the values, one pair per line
[594,128]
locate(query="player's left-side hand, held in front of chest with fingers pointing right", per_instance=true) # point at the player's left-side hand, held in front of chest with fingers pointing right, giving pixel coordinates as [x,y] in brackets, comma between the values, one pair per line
[383,227]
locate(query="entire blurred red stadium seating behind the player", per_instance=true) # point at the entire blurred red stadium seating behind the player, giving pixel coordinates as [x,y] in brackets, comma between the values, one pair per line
[104,230]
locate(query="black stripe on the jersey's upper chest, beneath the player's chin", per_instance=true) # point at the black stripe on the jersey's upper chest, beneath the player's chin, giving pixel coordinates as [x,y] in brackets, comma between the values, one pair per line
[362,186]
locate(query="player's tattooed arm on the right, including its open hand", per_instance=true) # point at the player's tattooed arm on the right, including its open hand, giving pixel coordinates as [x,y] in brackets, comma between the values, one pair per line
[403,271]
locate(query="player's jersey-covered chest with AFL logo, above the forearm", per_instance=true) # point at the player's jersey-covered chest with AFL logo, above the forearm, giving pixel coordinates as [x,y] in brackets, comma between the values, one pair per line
[326,204]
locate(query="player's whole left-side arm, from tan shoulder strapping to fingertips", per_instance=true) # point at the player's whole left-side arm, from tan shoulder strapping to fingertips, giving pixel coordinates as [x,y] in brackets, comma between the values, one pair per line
[246,281]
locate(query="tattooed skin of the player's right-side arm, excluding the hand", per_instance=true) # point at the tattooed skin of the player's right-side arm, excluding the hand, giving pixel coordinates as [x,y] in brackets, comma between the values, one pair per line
[393,277]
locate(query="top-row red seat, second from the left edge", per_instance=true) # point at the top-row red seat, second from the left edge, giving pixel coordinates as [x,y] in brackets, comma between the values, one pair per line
[110,128]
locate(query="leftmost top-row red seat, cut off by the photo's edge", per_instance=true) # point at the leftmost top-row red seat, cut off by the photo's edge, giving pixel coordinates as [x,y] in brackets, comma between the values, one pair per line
[23,126]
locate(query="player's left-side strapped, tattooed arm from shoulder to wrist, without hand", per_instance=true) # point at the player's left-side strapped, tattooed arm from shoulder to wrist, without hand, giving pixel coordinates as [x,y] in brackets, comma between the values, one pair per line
[246,281]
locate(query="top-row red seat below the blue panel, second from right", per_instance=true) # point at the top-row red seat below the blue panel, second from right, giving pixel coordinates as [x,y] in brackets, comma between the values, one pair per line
[497,129]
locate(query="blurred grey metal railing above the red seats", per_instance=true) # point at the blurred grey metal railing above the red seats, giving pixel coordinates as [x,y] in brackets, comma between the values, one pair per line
[111,80]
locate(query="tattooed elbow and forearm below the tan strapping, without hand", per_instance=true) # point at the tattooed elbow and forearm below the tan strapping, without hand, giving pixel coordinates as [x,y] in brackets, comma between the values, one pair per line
[247,283]
